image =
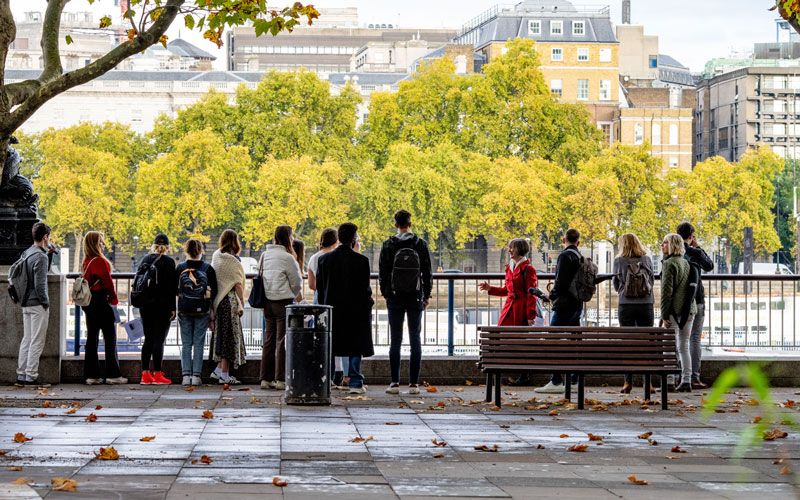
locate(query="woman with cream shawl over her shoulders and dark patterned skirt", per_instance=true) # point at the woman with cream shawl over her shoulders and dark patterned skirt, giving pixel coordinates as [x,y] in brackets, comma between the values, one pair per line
[228,308]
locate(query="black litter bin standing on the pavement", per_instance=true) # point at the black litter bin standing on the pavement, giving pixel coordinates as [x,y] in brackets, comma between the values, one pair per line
[308,354]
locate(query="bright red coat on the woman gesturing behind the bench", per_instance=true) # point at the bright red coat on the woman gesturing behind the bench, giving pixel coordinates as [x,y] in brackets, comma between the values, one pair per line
[520,306]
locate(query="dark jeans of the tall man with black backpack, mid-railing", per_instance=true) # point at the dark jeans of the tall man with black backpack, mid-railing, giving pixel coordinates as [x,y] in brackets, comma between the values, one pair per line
[398,310]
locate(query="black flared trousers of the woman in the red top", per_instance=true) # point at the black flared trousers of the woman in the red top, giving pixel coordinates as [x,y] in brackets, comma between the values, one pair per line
[100,316]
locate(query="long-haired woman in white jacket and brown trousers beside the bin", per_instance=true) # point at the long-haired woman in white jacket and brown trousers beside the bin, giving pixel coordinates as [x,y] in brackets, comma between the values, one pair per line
[283,284]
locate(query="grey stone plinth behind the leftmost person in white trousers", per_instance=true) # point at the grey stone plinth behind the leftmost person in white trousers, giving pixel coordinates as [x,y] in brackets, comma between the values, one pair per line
[11,331]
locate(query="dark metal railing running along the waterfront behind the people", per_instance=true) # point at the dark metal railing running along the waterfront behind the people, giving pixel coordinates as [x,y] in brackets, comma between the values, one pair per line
[752,313]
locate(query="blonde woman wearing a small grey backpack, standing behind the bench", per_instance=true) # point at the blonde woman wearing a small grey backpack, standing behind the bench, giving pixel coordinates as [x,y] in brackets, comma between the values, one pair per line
[633,280]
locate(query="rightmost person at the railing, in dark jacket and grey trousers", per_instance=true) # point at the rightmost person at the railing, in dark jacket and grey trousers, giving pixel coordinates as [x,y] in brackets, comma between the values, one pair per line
[700,260]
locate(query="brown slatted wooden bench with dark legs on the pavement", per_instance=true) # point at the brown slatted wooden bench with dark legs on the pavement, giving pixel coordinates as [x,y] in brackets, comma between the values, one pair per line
[577,350]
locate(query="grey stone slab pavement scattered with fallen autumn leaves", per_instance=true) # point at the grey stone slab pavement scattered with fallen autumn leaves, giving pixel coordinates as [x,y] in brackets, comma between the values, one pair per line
[252,438]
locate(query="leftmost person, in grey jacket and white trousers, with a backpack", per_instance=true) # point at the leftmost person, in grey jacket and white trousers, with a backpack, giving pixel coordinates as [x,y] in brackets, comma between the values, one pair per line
[35,303]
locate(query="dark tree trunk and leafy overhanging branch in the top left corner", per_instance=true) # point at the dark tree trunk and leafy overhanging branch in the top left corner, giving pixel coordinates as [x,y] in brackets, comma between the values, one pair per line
[18,101]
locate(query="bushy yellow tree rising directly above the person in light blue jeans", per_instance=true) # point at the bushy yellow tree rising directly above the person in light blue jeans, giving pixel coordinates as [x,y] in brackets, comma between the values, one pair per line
[198,186]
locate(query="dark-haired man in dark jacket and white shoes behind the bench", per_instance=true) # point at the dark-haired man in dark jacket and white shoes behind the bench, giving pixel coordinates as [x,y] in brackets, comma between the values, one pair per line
[566,308]
